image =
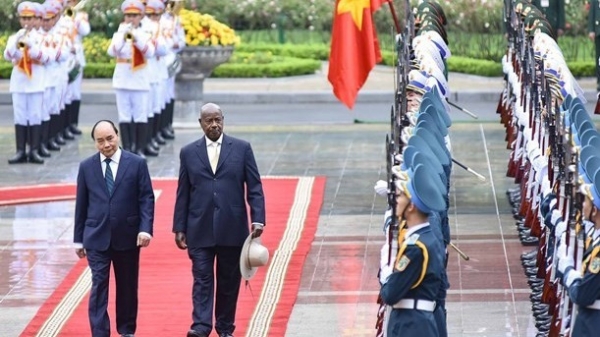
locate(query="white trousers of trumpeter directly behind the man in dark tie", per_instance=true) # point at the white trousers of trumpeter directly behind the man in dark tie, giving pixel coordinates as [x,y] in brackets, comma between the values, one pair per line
[132,105]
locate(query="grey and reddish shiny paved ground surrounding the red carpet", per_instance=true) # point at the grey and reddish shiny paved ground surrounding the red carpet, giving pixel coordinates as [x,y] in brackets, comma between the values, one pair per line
[488,296]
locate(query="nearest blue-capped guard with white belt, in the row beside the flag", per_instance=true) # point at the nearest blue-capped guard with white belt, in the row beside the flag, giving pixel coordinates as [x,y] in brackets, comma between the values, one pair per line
[411,285]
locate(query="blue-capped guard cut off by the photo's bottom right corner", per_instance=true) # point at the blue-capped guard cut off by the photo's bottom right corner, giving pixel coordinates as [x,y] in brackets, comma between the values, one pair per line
[584,285]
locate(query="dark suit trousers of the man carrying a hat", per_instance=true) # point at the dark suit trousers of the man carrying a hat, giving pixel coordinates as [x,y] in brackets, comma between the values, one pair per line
[228,278]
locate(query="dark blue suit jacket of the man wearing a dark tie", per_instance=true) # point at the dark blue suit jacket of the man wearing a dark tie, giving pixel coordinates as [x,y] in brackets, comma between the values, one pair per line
[103,221]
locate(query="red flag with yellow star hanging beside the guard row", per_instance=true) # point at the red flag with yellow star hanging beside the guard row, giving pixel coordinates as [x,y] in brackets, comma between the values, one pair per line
[354,47]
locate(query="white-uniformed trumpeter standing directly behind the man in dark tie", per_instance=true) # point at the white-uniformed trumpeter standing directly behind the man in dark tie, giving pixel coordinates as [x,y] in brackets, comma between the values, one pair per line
[132,47]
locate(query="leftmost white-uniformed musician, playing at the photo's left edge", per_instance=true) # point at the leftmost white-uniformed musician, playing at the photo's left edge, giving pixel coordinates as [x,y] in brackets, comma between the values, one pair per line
[27,55]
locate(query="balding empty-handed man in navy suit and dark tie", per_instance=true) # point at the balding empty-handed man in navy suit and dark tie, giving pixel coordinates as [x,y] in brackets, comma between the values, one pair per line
[114,215]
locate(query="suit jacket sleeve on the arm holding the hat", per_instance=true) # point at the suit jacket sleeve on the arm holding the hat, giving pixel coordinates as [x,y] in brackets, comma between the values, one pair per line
[254,191]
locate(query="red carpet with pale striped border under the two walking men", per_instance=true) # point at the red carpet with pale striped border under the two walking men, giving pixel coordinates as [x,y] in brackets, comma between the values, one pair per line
[293,206]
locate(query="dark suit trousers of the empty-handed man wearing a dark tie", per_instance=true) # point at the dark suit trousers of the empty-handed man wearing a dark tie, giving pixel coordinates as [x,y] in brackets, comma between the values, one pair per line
[126,269]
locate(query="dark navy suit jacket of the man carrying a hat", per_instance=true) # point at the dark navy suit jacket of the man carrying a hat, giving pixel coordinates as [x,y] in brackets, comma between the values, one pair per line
[211,208]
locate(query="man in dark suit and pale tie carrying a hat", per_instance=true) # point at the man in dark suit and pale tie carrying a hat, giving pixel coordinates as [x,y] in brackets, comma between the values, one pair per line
[217,176]
